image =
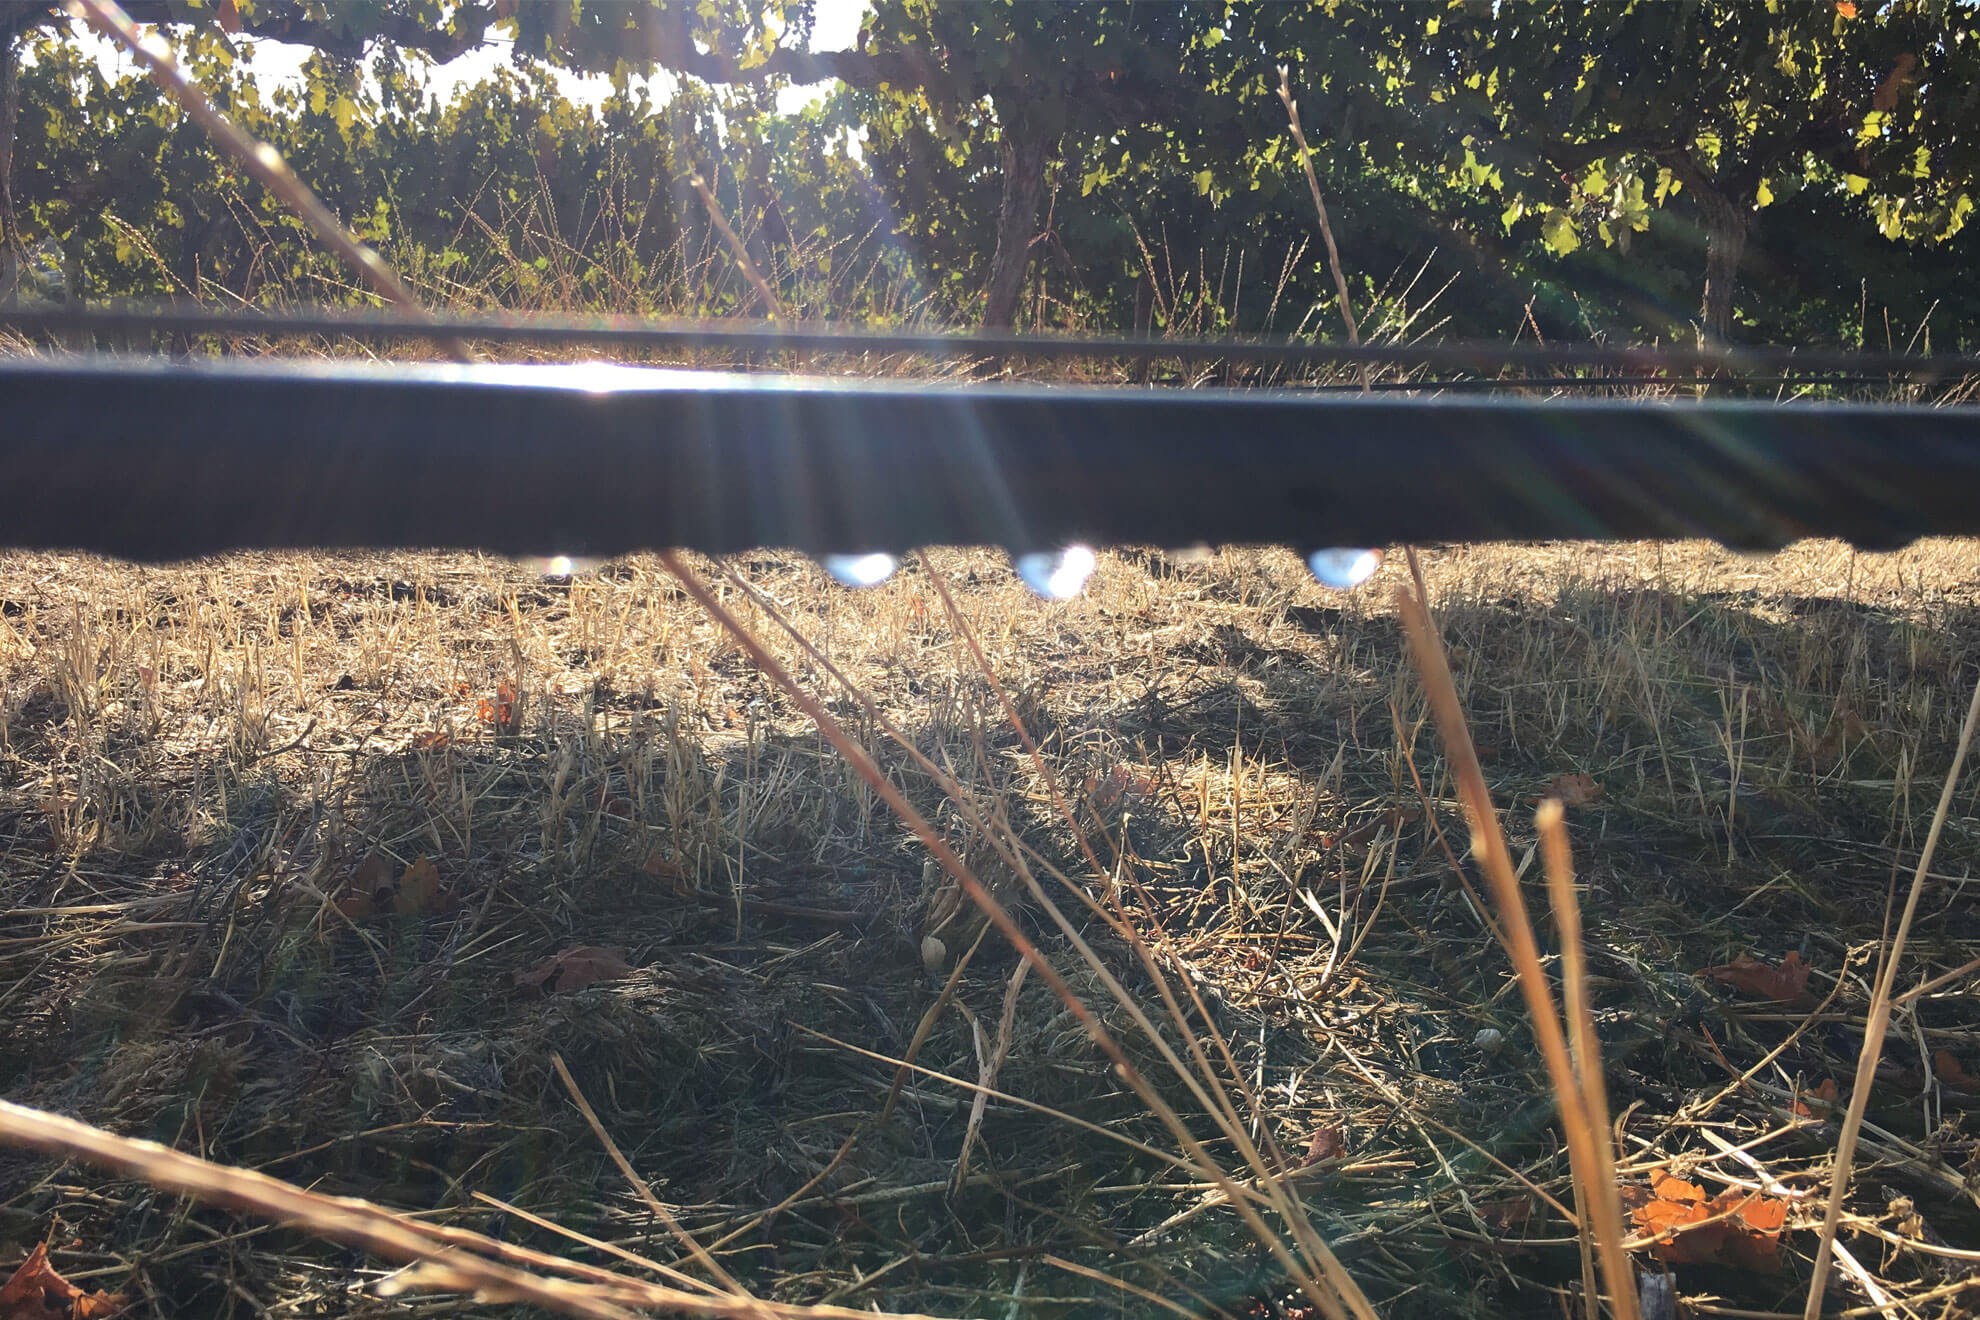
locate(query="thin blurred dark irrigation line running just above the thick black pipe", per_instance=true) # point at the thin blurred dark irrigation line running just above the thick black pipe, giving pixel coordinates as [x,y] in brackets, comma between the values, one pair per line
[835,339]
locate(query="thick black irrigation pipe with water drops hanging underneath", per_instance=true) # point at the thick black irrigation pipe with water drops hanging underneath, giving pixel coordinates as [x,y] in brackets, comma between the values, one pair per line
[151,460]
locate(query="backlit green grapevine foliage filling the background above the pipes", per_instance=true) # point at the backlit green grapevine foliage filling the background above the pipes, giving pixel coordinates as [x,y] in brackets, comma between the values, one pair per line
[1565,161]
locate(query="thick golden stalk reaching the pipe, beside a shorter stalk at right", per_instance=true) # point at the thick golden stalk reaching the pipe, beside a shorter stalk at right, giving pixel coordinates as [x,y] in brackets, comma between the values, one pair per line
[1488,844]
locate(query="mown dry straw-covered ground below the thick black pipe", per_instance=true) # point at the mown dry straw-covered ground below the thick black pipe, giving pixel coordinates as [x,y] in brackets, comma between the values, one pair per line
[290,848]
